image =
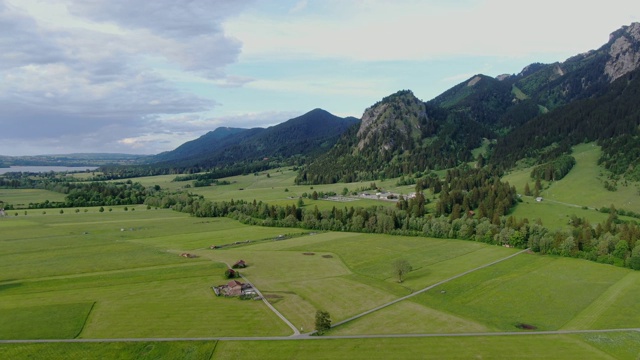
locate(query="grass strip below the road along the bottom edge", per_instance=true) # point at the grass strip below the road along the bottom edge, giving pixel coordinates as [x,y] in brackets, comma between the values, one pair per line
[618,345]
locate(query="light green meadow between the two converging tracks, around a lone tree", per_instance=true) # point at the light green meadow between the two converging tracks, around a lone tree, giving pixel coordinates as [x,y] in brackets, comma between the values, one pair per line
[347,274]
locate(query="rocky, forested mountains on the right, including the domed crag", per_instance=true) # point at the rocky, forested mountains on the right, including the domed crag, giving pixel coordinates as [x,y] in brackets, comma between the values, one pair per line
[531,117]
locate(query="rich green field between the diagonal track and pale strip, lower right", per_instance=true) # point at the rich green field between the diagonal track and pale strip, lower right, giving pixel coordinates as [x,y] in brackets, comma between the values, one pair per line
[545,292]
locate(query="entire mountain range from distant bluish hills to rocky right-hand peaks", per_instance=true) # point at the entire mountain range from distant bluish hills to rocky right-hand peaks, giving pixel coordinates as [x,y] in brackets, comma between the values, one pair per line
[528,118]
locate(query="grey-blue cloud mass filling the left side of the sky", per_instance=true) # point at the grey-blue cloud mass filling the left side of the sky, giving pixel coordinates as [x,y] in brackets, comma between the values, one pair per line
[84,70]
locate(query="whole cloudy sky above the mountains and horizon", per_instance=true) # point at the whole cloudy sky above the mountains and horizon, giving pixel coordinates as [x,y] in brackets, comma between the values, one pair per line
[144,76]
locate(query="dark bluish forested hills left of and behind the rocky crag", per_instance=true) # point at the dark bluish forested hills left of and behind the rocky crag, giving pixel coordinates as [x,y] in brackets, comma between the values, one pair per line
[305,136]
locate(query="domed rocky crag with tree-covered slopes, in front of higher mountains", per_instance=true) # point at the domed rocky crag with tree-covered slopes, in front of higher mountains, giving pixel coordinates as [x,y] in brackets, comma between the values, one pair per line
[398,135]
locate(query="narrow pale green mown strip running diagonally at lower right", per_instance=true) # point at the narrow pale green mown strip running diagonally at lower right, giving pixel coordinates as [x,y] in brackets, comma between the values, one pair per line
[587,317]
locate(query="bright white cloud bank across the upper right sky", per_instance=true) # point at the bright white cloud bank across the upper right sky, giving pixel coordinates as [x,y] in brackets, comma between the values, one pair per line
[419,30]
